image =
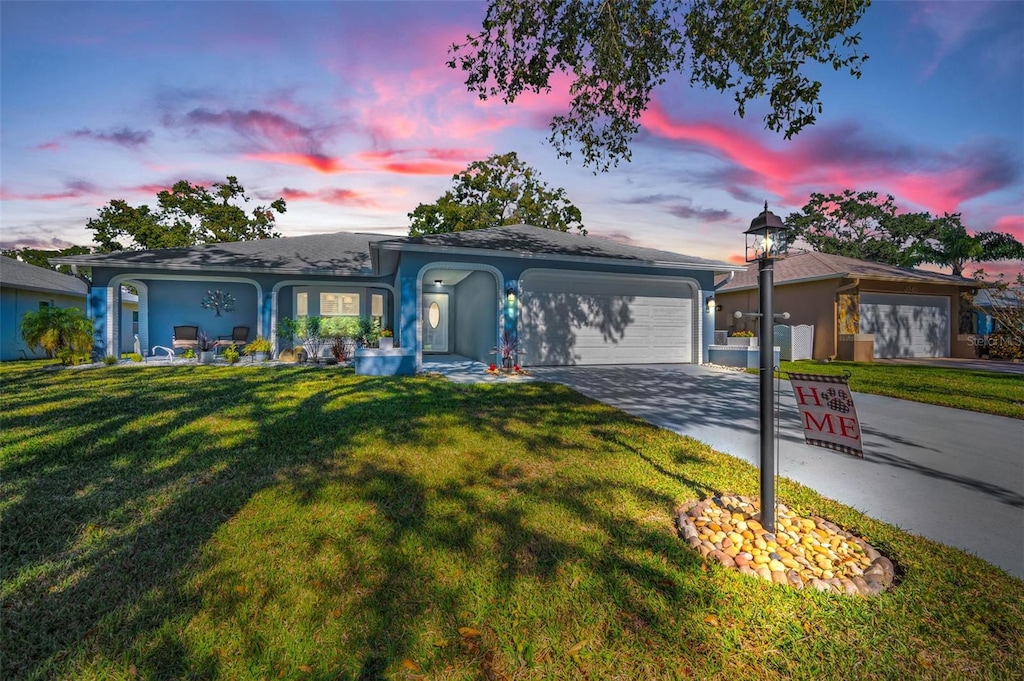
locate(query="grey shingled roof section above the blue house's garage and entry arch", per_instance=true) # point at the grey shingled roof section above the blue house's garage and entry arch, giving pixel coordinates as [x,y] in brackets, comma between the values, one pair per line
[527,241]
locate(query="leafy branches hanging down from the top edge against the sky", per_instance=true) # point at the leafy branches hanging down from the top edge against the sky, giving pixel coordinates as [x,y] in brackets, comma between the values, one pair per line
[617,53]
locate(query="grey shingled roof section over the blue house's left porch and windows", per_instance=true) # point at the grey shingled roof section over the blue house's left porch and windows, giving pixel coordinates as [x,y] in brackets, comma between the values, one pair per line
[339,253]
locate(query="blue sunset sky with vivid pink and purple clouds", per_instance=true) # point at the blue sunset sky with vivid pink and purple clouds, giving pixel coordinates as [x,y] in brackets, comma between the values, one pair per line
[349,112]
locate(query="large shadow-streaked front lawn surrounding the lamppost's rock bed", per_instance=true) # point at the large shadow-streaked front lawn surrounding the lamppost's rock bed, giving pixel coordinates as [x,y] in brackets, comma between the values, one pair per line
[294,523]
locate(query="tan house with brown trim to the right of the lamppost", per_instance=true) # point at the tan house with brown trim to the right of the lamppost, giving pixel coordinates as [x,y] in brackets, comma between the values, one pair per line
[910,313]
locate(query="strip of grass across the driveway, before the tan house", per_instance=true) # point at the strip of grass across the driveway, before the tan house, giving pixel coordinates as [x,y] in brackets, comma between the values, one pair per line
[989,393]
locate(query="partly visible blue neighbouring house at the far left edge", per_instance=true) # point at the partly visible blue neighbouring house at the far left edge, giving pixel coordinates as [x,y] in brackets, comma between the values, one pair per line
[26,288]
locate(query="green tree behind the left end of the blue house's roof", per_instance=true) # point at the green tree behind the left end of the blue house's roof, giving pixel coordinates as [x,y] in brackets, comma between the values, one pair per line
[188,216]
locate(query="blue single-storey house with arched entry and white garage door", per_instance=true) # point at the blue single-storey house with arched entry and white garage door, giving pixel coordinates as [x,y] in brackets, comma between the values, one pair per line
[570,300]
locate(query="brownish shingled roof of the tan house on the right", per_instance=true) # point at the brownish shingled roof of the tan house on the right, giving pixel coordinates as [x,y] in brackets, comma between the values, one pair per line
[813,267]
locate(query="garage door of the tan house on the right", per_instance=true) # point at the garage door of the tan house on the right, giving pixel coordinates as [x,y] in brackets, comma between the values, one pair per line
[907,326]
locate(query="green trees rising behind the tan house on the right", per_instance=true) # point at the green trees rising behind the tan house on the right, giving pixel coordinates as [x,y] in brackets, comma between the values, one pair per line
[866,227]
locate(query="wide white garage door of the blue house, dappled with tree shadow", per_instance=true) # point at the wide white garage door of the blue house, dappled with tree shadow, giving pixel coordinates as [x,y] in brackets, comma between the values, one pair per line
[571,318]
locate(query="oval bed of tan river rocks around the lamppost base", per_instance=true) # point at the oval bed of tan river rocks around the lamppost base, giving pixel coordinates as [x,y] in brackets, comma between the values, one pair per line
[803,552]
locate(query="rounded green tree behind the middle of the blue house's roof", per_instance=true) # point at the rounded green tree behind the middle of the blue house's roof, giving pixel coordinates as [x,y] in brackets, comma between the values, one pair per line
[501,190]
